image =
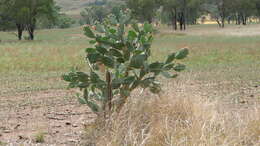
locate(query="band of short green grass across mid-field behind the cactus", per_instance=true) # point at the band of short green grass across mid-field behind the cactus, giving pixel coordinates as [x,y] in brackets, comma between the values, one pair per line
[38,65]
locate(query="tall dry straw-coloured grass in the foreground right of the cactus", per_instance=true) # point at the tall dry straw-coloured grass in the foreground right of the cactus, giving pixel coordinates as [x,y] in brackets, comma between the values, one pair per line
[170,121]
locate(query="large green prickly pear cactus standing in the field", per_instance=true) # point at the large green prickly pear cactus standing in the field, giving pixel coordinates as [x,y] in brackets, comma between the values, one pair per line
[119,63]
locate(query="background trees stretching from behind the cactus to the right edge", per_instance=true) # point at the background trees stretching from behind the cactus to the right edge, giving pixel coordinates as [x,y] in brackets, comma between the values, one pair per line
[178,13]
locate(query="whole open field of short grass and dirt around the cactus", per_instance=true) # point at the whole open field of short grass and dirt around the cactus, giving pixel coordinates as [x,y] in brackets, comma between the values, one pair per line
[223,67]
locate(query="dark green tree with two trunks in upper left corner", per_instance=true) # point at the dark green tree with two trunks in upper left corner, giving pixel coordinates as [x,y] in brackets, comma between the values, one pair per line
[24,14]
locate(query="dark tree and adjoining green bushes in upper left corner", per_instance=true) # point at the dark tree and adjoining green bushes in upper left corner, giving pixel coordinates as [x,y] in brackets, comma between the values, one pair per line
[27,15]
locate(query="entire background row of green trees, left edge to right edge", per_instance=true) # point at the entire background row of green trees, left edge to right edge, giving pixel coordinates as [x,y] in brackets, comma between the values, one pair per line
[27,15]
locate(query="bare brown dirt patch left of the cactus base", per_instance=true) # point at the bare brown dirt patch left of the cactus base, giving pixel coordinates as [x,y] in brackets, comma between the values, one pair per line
[50,113]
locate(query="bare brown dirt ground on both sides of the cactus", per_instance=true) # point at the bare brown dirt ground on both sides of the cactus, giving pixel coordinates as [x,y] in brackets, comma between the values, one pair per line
[57,115]
